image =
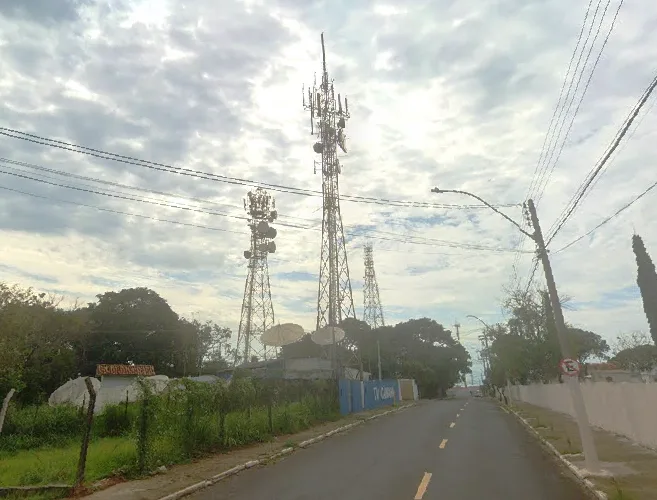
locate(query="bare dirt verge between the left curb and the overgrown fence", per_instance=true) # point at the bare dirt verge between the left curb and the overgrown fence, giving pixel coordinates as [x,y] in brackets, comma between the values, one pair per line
[181,476]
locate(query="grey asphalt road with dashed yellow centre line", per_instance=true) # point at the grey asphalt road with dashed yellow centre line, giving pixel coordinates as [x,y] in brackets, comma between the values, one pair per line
[460,449]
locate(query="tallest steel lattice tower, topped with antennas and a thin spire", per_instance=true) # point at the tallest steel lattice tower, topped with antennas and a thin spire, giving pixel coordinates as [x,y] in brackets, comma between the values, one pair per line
[327,121]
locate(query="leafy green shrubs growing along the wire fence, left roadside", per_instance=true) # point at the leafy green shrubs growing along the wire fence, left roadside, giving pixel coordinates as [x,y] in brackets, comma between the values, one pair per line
[187,420]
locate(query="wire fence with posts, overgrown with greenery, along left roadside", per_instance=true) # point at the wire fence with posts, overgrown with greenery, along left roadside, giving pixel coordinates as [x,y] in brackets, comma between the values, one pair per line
[130,439]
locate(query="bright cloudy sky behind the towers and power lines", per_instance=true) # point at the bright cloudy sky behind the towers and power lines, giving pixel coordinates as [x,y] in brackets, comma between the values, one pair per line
[458,95]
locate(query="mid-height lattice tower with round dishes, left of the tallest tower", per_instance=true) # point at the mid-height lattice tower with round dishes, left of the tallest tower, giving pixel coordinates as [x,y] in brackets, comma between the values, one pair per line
[257,309]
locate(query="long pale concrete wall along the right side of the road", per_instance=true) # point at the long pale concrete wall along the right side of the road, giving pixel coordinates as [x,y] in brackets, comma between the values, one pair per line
[625,408]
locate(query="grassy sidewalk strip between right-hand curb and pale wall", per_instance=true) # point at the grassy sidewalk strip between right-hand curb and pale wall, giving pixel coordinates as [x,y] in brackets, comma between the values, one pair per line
[632,468]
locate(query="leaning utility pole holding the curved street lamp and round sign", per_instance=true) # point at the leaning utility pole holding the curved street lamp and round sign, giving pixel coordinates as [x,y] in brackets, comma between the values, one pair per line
[586,435]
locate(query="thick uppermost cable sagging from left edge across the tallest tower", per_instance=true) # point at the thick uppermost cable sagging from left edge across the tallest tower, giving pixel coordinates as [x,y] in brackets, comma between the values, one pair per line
[44,141]
